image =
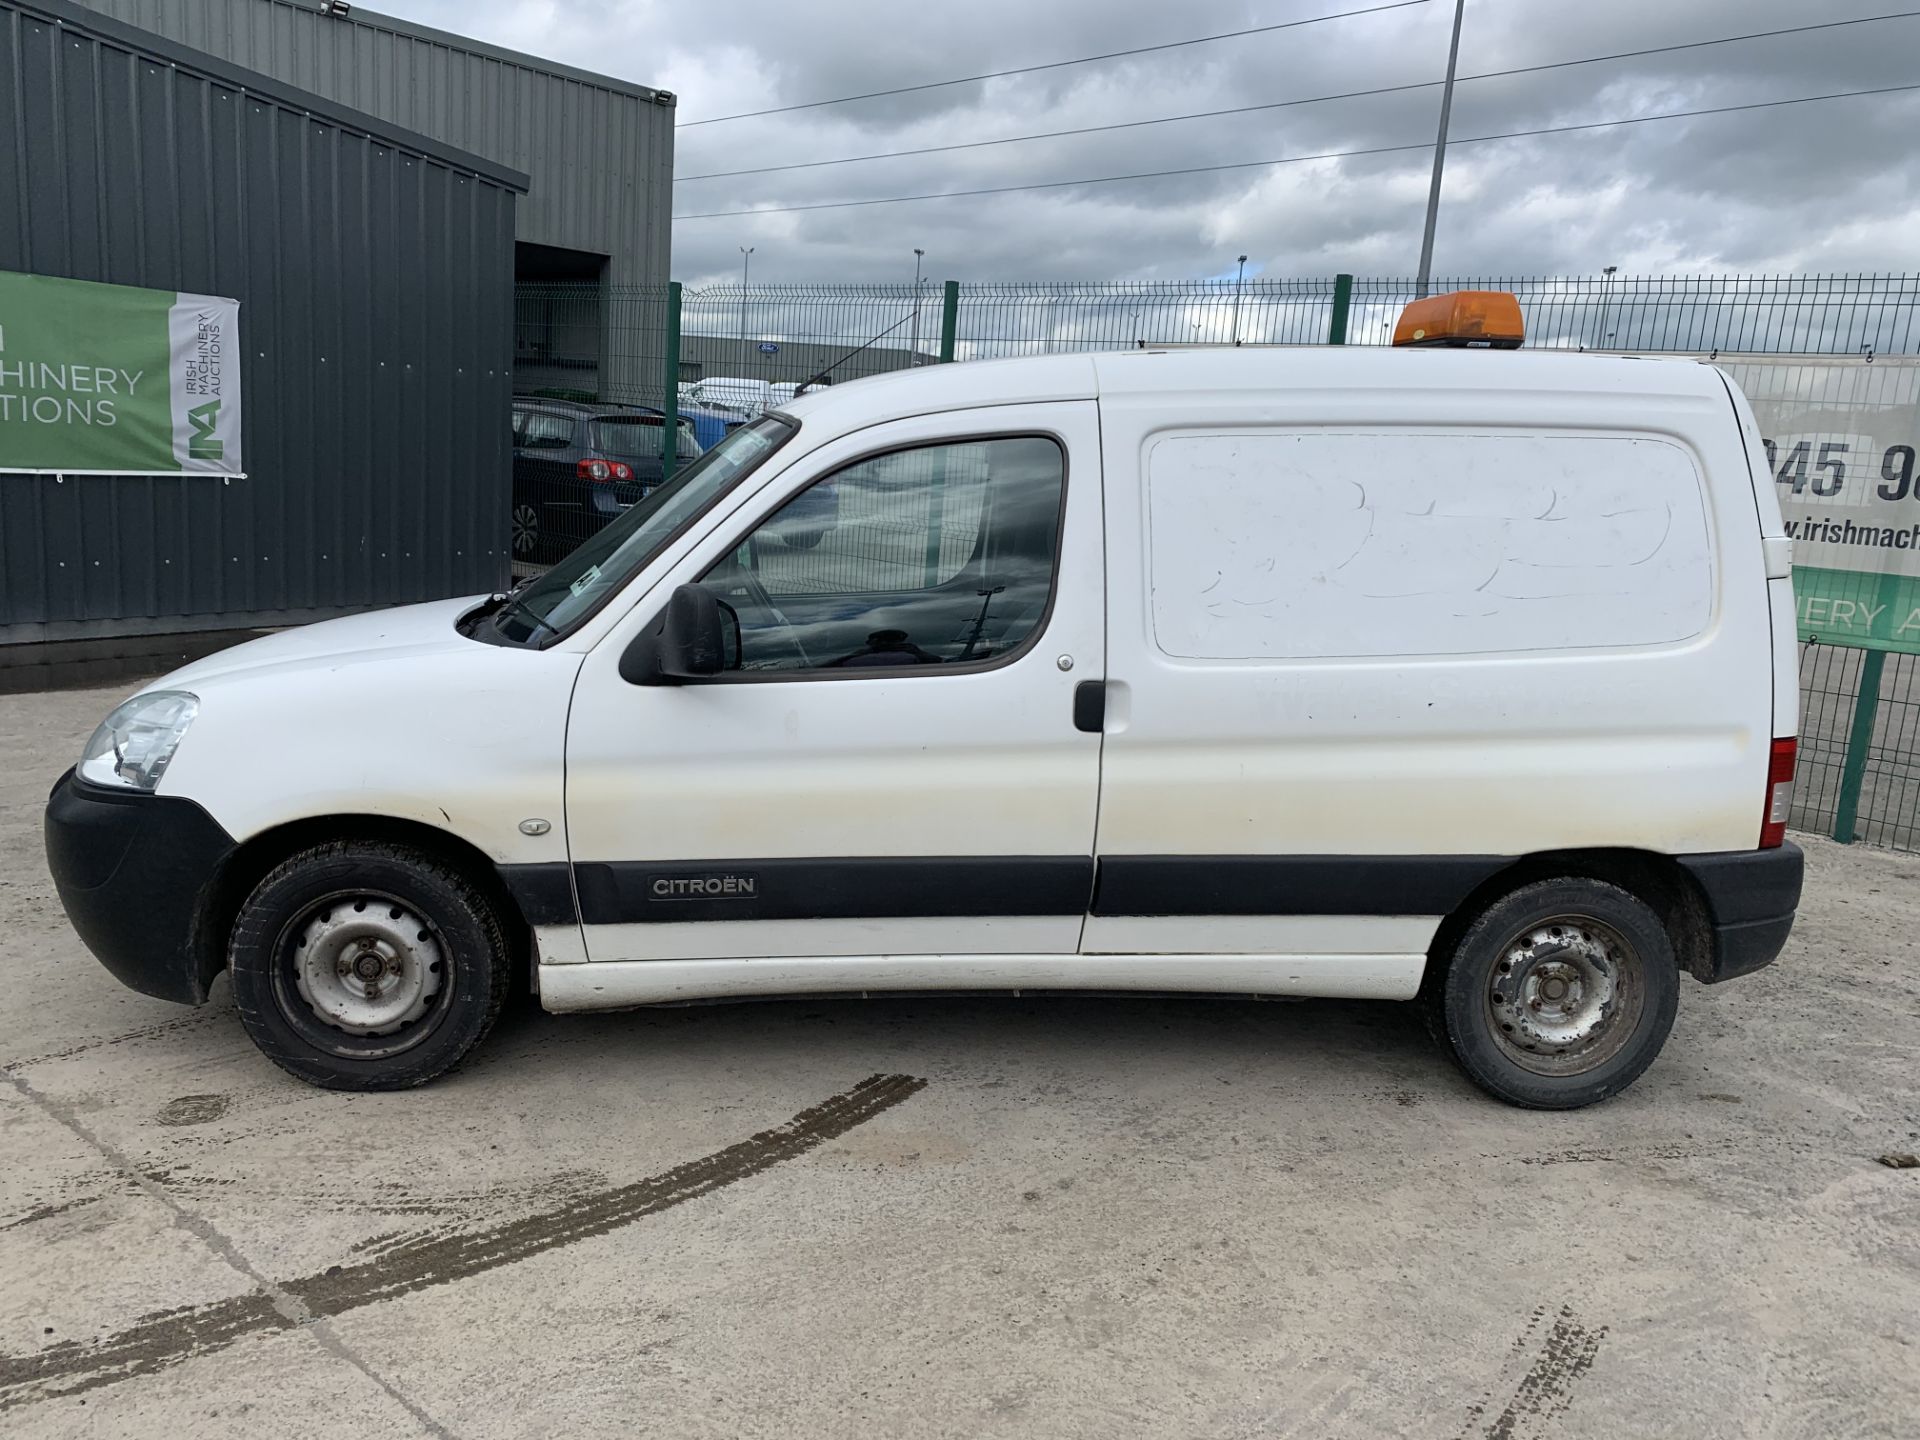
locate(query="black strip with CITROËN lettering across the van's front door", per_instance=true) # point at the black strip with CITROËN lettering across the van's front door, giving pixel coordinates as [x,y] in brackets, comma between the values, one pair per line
[640,892]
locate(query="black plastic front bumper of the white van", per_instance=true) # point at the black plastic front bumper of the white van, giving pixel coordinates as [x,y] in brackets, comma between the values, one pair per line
[137,875]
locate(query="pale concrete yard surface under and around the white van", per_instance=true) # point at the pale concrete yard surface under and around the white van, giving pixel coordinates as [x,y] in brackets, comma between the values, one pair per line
[955,1218]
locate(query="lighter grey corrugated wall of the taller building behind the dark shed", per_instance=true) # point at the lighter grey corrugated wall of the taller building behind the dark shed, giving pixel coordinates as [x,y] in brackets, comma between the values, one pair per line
[600,151]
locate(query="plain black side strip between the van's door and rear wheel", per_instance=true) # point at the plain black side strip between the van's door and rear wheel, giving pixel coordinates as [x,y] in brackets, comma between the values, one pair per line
[1289,884]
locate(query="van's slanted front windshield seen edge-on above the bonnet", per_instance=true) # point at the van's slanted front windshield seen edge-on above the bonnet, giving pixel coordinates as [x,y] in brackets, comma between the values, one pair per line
[552,604]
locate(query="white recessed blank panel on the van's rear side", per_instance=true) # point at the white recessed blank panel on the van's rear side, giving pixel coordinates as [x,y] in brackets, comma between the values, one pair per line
[1310,544]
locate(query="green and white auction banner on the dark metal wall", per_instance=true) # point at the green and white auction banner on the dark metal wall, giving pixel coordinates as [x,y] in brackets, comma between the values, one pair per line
[108,379]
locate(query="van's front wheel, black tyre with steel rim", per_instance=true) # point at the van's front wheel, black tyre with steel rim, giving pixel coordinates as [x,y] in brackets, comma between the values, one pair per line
[327,911]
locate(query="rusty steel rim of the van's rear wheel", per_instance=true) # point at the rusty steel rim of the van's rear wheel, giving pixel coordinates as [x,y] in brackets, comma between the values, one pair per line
[1566,996]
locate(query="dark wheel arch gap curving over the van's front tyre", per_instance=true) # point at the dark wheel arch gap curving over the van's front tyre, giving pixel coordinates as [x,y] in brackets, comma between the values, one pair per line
[260,853]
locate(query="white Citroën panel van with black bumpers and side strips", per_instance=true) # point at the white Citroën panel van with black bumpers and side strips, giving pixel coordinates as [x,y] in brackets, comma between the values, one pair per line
[1460,677]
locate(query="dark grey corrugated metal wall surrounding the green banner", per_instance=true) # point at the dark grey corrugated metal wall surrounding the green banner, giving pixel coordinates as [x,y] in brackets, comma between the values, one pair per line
[375,283]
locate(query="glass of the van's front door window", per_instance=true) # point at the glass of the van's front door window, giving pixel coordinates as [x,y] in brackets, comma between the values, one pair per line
[917,558]
